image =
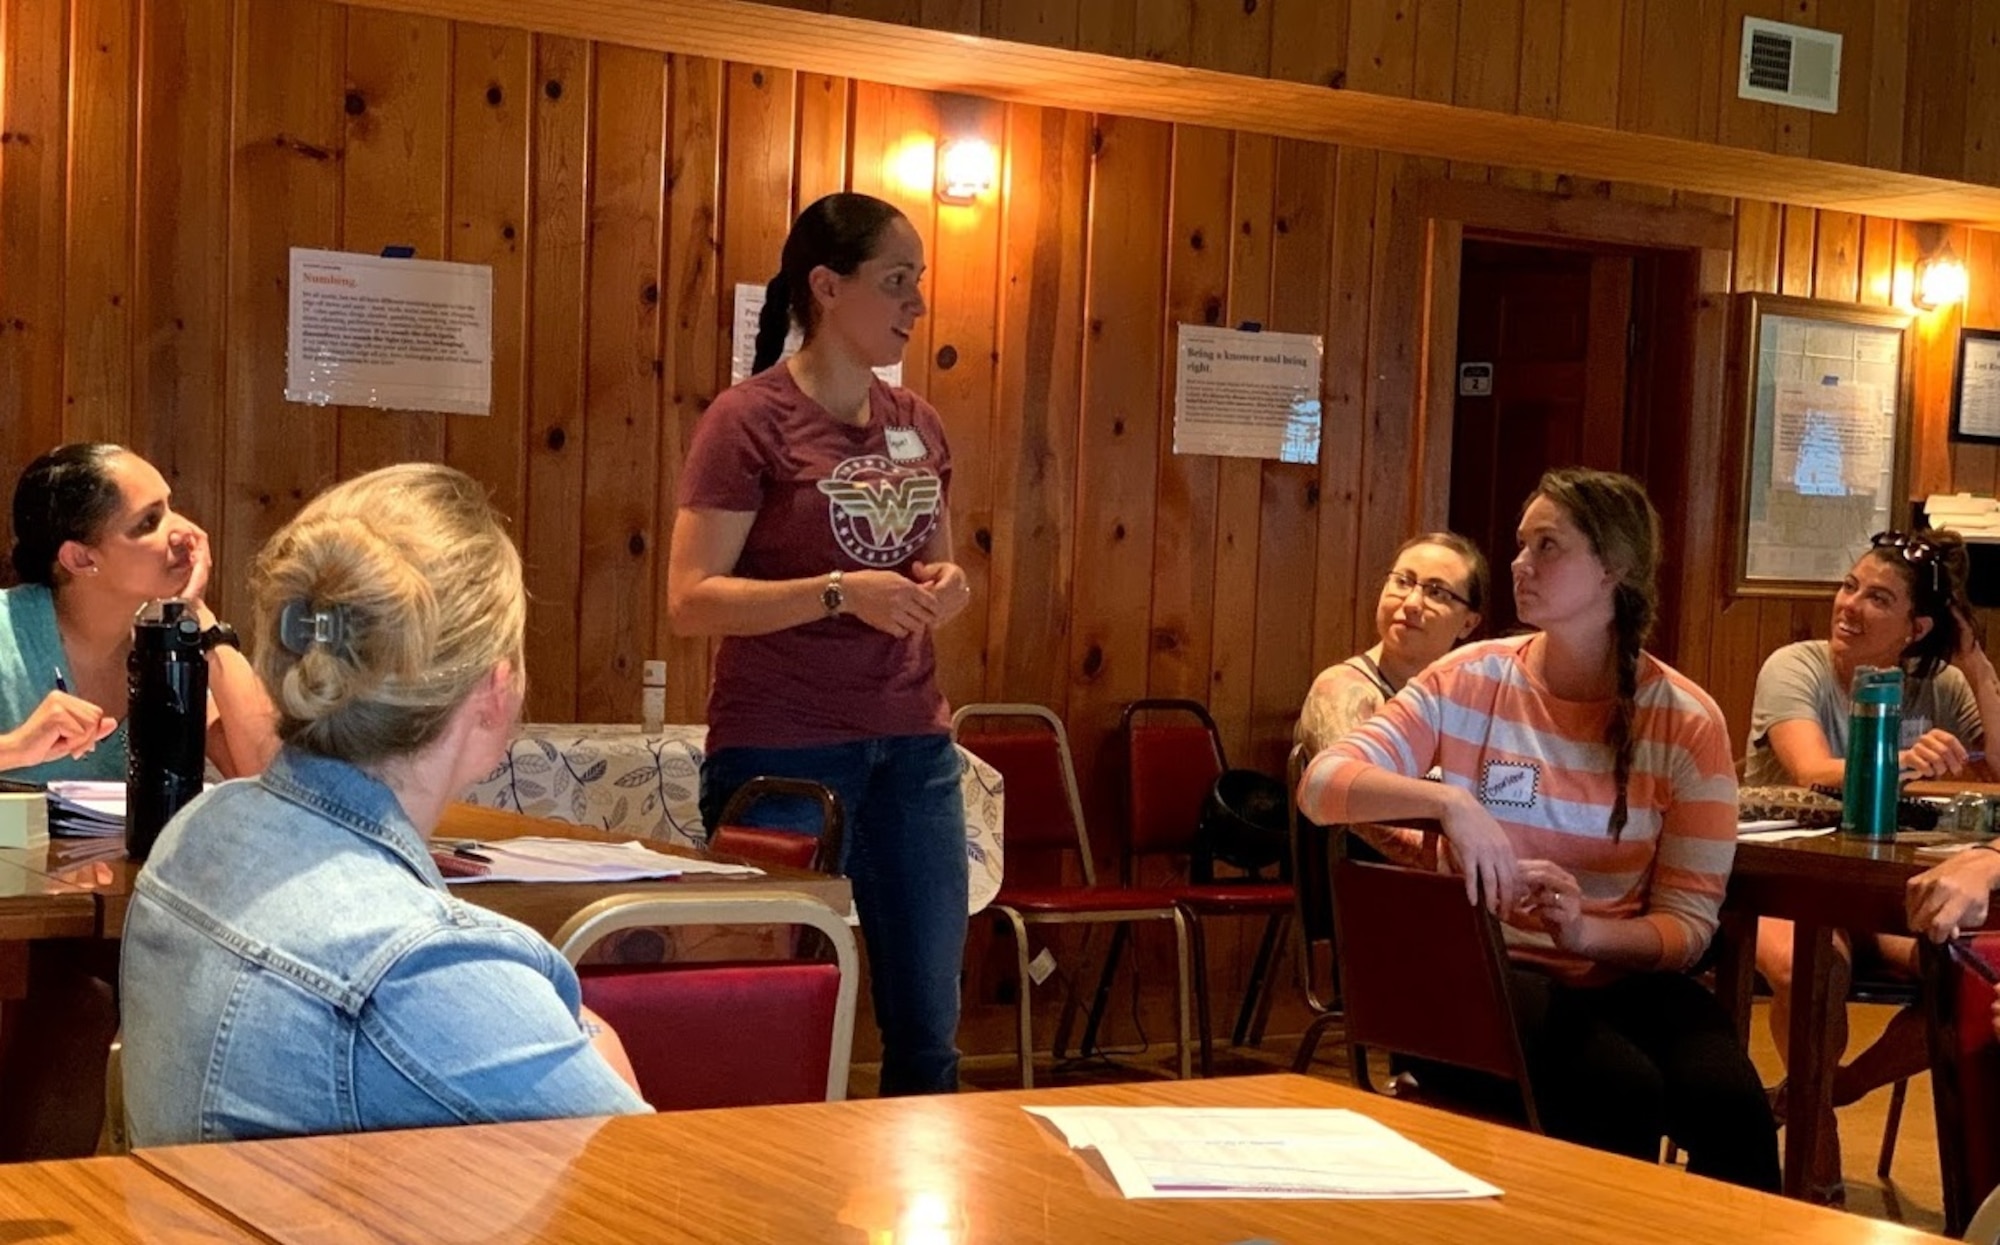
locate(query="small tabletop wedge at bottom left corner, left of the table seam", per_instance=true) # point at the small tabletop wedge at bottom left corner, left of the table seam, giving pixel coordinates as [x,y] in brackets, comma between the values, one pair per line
[93,1202]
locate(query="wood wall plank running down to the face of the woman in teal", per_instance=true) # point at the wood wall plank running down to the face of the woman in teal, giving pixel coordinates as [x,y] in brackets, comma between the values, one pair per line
[181,299]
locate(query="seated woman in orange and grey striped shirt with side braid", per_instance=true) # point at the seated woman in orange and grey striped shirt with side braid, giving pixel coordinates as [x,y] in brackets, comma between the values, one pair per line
[1589,798]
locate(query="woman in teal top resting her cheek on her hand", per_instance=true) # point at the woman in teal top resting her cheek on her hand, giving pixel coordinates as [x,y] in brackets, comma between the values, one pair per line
[97,537]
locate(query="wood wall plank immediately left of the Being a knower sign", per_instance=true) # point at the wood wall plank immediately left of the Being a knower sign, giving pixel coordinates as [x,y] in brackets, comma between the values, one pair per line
[1119,437]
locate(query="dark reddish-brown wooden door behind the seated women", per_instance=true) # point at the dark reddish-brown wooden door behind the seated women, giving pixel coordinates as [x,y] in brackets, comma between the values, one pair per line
[1555,329]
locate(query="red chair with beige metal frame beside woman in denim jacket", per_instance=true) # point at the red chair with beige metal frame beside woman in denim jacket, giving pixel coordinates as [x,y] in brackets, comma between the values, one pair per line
[685,1024]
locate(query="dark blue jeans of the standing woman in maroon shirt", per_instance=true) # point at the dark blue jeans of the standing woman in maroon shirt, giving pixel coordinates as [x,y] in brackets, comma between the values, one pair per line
[905,854]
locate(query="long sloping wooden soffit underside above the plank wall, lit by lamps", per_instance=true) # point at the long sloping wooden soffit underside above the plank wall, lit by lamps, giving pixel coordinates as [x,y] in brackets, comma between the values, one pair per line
[1097,83]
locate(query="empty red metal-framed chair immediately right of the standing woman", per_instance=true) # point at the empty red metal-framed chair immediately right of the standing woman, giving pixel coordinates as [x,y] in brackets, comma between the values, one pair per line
[1045,818]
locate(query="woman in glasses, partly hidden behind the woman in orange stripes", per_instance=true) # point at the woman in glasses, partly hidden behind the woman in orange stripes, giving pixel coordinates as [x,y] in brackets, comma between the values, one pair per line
[1431,601]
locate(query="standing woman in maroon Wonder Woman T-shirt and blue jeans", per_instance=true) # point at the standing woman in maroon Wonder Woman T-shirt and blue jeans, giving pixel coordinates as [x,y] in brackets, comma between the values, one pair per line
[815,539]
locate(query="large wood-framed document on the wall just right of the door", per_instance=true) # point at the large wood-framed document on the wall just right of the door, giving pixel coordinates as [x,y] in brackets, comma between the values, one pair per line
[1827,439]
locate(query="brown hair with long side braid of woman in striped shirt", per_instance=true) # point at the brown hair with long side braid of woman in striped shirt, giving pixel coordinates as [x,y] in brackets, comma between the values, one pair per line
[1617,517]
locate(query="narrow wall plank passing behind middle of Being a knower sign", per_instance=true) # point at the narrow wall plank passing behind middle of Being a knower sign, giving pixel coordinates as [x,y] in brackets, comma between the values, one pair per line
[1241,481]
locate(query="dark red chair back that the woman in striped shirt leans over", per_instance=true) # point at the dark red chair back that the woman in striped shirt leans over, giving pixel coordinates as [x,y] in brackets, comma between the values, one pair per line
[1425,974]
